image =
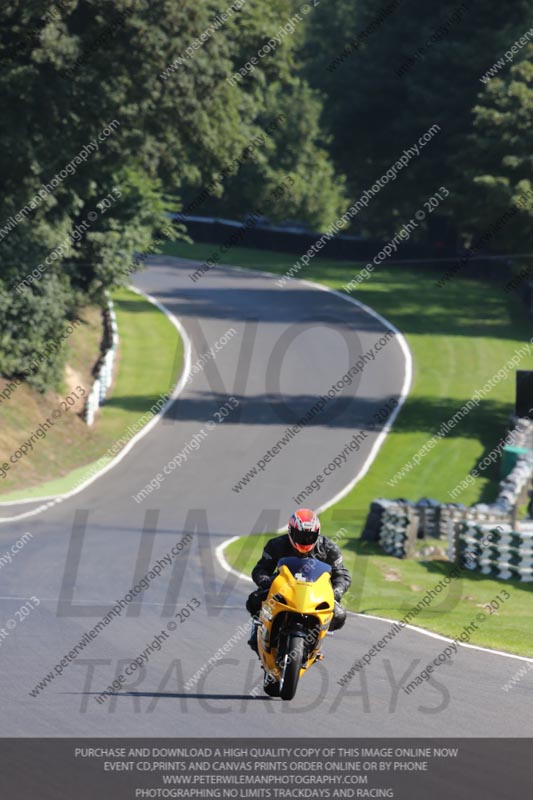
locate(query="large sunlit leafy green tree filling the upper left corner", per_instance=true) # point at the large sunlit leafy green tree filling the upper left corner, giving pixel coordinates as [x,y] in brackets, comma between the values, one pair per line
[118,106]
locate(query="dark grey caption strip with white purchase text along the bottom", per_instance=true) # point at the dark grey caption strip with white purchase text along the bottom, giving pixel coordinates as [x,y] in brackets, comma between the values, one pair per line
[406,769]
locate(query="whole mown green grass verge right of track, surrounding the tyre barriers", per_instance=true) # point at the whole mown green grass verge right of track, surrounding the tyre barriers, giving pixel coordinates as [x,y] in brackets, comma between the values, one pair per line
[459,336]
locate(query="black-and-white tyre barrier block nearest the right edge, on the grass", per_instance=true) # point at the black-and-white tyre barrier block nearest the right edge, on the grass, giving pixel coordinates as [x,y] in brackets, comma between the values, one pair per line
[497,551]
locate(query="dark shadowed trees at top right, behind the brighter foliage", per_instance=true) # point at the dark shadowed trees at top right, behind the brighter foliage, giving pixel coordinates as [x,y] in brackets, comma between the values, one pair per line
[391,72]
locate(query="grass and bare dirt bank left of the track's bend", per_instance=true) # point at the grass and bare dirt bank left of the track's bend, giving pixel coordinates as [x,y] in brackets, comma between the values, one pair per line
[150,360]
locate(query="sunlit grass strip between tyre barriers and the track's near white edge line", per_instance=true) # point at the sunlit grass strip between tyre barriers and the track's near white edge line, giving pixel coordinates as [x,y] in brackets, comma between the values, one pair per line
[388,587]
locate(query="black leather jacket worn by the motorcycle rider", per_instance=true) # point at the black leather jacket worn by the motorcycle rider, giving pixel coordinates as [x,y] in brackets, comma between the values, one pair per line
[281,547]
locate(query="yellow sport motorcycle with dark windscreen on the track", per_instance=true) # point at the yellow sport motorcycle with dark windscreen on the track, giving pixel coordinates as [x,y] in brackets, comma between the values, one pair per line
[293,621]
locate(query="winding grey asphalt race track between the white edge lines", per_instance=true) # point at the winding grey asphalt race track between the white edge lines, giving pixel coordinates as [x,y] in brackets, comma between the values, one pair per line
[292,344]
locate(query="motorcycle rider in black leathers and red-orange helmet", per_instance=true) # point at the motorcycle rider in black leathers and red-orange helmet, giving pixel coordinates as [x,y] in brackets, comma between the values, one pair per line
[303,539]
